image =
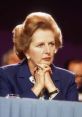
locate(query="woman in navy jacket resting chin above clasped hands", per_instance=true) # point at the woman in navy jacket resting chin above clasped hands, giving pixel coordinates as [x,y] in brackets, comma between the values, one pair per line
[36,41]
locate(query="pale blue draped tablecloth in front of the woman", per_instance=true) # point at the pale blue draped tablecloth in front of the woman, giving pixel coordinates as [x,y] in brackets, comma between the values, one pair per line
[24,107]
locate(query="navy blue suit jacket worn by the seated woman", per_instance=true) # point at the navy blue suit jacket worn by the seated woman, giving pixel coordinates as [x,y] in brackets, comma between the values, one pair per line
[14,79]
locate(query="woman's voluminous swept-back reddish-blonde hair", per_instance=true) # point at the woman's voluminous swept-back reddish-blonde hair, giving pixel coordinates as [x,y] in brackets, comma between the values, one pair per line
[22,34]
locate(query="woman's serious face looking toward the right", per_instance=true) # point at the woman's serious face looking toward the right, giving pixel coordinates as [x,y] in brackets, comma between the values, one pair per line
[42,47]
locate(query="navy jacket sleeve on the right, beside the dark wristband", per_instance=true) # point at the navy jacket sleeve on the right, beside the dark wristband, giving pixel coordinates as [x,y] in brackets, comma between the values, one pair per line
[68,89]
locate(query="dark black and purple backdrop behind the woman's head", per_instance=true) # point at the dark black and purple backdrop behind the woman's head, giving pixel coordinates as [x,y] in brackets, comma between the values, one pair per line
[68,15]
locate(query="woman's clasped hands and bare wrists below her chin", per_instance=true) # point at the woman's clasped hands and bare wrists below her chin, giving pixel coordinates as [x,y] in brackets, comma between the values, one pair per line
[42,74]
